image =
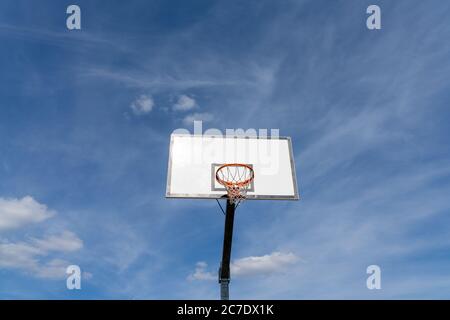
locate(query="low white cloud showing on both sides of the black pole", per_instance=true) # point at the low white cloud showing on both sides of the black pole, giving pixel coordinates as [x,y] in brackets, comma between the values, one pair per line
[249,266]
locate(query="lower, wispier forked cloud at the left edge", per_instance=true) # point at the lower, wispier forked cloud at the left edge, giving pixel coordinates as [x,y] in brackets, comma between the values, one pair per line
[27,256]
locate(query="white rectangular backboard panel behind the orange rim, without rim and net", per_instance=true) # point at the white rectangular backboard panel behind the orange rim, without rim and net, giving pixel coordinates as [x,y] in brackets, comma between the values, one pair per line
[194,159]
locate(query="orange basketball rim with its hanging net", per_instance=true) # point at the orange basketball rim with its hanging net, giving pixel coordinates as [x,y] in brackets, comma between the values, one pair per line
[236,178]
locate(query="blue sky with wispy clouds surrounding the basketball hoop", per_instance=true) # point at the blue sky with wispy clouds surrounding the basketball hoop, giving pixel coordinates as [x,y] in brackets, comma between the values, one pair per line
[85,120]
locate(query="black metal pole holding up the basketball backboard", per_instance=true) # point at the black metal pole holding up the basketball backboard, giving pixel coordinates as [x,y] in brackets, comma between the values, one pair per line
[224,271]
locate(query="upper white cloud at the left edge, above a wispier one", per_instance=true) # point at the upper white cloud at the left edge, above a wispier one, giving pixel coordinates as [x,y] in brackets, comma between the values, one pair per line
[14,213]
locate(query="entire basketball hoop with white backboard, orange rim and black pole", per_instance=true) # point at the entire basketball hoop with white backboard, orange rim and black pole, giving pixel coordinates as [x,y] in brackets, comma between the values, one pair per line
[229,171]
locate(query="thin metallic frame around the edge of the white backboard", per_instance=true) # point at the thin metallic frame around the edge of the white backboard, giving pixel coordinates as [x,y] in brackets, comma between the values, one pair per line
[249,197]
